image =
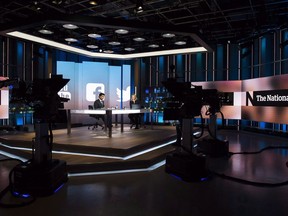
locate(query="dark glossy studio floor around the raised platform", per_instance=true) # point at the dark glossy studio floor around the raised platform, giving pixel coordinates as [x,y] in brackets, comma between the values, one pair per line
[157,193]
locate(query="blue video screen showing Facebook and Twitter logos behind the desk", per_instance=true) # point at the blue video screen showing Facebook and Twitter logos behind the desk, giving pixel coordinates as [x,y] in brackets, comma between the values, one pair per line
[88,79]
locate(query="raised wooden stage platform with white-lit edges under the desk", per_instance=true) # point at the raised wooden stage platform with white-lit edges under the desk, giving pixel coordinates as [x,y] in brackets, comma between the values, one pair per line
[93,151]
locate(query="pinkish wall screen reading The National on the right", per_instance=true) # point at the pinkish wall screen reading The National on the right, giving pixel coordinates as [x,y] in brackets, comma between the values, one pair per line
[260,99]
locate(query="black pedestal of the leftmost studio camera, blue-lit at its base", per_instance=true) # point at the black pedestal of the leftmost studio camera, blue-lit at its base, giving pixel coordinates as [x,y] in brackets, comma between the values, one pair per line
[41,176]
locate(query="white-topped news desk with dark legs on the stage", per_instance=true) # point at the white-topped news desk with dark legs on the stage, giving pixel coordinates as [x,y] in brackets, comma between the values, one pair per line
[108,113]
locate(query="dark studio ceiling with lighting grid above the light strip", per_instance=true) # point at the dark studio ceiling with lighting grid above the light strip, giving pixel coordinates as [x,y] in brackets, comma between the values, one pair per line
[194,22]
